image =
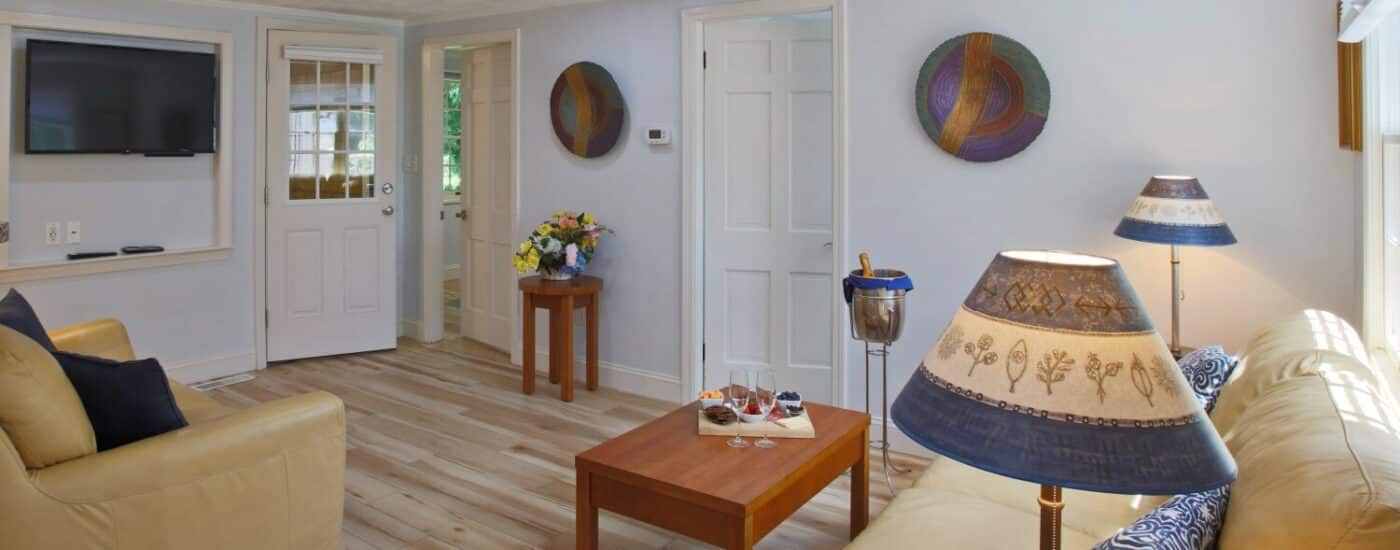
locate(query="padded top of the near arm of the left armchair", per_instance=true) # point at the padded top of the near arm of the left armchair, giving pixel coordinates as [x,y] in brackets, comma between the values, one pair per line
[197,453]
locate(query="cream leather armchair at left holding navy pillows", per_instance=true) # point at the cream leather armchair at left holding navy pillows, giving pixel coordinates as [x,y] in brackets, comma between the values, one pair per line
[265,478]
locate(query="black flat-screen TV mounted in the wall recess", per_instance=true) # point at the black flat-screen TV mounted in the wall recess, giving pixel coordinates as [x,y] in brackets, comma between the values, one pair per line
[93,99]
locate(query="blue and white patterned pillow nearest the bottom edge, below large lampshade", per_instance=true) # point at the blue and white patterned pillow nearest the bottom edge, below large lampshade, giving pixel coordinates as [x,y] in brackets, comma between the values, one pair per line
[1184,523]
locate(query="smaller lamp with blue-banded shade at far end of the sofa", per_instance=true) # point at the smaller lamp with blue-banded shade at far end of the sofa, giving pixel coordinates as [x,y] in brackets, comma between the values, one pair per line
[1175,211]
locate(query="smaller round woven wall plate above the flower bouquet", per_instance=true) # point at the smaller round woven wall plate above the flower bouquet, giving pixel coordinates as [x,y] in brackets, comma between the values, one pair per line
[587,110]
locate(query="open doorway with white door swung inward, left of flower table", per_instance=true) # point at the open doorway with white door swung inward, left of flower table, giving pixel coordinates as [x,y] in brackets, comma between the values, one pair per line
[471,188]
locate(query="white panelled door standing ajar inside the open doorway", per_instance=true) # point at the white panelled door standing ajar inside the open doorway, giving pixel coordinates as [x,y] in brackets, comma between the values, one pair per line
[488,283]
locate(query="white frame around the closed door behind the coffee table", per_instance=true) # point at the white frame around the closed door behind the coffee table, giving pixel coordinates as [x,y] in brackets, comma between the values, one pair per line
[692,153]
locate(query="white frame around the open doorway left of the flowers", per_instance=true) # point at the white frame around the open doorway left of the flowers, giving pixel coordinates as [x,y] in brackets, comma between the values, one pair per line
[432,195]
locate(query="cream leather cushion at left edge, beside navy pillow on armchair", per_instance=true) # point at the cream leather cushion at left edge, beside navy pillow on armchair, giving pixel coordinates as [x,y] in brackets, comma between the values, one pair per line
[38,408]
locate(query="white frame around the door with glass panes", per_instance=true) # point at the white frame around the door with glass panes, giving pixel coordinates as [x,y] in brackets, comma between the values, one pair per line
[265,24]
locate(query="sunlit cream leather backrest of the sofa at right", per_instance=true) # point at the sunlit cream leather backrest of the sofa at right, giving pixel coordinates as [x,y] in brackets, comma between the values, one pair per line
[1315,439]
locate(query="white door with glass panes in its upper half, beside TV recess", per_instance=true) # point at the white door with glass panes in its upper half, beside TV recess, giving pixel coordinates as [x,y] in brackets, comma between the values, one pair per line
[331,209]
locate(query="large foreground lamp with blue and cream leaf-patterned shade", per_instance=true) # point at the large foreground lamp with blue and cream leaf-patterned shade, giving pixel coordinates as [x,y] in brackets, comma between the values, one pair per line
[1052,373]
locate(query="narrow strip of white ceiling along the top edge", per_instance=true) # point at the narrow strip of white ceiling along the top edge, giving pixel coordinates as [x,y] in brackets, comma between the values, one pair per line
[416,10]
